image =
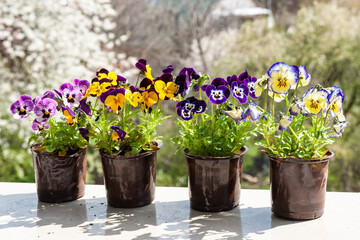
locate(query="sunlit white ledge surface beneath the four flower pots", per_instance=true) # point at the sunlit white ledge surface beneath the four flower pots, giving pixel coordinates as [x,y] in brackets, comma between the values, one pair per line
[169,217]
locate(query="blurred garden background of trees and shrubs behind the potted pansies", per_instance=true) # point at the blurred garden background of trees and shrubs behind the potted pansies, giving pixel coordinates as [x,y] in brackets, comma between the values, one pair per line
[44,43]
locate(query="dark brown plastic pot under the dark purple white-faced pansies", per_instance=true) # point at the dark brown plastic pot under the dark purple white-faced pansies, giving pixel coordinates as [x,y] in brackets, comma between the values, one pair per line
[214,182]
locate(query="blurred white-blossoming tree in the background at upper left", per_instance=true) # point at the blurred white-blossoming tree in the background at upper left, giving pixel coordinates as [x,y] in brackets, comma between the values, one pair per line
[45,43]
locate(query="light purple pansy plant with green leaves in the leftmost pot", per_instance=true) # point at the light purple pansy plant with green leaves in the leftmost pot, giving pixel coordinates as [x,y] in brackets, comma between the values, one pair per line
[56,117]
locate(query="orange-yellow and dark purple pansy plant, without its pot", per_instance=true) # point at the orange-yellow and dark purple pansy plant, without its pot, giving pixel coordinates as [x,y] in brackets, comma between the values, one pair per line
[125,115]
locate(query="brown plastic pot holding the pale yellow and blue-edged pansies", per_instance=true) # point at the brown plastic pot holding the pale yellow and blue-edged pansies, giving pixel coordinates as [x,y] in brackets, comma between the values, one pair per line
[298,186]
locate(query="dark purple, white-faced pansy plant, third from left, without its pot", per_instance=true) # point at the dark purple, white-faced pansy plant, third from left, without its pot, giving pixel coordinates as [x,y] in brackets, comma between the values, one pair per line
[216,122]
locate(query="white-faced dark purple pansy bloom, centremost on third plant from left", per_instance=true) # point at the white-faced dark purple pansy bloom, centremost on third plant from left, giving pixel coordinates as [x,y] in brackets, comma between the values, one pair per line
[217,91]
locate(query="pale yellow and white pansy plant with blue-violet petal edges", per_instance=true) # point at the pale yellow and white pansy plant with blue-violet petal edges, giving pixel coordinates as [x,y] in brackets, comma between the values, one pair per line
[307,124]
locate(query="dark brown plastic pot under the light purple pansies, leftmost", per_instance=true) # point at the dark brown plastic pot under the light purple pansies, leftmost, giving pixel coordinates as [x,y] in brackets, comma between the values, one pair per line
[59,178]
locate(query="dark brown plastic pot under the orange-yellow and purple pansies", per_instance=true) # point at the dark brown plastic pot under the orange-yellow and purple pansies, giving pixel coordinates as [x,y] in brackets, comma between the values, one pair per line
[129,180]
